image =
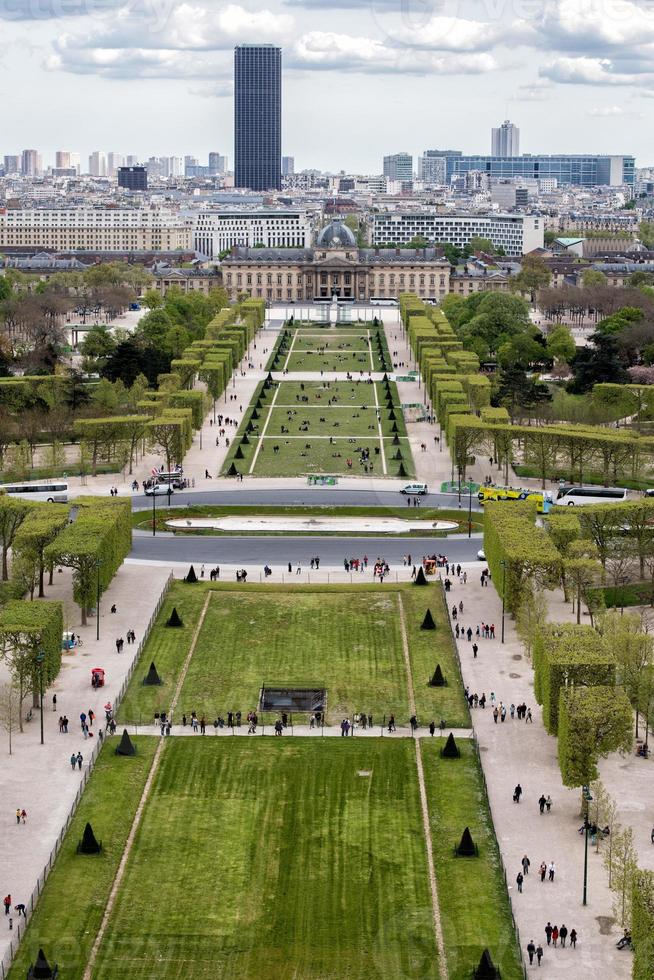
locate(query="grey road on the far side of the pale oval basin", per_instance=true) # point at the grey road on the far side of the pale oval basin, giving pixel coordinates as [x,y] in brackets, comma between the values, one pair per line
[301,497]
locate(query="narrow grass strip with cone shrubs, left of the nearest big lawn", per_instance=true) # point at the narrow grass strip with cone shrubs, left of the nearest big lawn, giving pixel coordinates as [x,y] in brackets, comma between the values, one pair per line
[72,903]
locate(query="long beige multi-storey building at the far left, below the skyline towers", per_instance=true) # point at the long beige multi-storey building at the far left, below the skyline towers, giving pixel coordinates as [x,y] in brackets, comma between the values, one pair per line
[95,229]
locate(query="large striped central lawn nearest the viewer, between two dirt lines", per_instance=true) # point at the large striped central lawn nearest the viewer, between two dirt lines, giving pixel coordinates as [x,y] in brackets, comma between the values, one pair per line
[273,858]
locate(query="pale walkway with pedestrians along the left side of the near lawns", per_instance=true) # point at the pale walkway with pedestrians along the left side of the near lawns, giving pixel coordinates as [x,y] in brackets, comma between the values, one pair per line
[38,777]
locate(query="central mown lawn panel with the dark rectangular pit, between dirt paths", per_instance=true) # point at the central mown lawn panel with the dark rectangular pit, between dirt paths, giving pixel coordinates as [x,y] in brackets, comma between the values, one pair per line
[347,642]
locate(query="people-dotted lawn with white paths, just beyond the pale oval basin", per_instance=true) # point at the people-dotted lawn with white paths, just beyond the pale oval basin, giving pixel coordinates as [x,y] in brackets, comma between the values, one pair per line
[296,428]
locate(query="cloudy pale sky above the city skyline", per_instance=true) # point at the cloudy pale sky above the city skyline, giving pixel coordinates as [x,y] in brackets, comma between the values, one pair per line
[361,77]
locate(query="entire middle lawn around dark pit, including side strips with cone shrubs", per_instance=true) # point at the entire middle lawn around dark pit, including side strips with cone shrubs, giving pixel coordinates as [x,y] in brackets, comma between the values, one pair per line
[347,640]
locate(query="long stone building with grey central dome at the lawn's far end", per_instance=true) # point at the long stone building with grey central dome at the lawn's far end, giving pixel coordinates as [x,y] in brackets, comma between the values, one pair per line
[335,267]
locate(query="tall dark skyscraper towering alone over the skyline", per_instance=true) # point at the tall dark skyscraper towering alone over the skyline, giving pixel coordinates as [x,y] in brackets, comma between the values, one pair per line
[258,116]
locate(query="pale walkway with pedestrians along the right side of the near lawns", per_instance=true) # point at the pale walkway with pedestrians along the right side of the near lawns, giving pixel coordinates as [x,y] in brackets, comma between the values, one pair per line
[515,752]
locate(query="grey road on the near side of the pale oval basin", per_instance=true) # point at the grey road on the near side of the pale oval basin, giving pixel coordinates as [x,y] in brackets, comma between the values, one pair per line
[279,550]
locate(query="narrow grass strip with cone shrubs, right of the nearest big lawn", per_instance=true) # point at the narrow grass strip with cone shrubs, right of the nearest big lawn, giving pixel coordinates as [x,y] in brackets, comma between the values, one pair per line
[474,903]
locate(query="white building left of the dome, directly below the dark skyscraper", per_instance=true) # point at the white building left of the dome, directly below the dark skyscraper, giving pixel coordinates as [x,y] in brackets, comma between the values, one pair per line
[217,231]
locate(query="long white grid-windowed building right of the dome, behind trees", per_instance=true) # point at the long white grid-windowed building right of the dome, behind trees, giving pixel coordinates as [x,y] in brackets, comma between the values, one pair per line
[517,234]
